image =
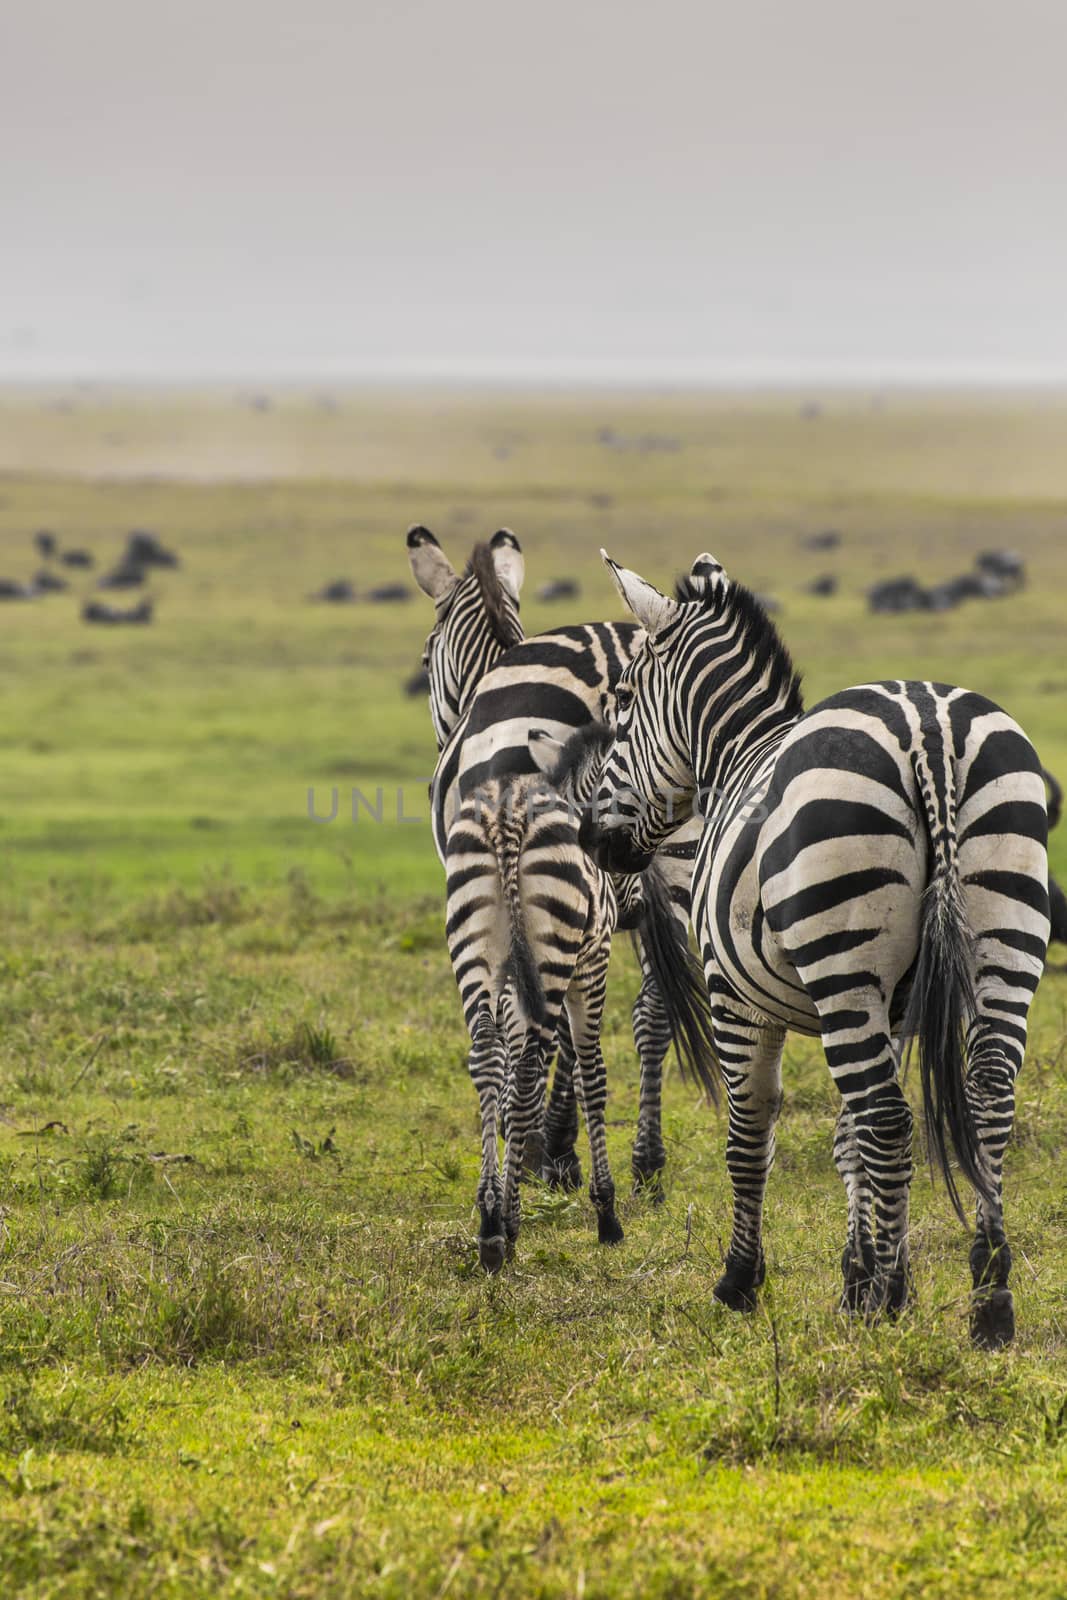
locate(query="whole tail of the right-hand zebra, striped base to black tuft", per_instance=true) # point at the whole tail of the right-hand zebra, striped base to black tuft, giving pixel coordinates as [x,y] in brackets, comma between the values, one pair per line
[941,1002]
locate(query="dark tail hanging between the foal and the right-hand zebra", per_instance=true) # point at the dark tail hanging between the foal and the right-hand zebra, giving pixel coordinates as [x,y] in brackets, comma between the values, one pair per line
[682,985]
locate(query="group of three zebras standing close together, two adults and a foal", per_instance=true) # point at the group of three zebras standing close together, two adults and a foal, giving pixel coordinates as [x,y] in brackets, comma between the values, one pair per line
[871,871]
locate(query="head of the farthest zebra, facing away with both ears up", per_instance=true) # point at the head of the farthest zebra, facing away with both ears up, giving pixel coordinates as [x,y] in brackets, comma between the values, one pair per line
[478,618]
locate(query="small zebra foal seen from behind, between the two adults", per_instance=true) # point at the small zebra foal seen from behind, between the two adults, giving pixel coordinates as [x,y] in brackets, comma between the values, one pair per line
[530,924]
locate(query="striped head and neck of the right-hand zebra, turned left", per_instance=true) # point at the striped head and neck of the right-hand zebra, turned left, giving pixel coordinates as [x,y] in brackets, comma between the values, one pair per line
[711,670]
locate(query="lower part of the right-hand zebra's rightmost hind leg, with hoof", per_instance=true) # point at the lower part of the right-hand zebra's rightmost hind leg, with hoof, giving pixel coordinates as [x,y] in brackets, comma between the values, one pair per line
[991,1097]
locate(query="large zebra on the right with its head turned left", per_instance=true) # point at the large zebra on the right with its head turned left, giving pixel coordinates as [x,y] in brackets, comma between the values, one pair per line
[871,871]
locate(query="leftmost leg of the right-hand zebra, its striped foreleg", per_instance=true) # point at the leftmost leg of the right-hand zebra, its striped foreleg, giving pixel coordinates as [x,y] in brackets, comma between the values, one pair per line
[751,1058]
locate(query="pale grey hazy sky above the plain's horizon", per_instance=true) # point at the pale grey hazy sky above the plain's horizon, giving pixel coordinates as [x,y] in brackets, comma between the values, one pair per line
[679,188]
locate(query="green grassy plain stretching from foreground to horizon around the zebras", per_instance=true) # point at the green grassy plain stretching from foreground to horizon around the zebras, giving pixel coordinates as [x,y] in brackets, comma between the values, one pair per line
[246,1348]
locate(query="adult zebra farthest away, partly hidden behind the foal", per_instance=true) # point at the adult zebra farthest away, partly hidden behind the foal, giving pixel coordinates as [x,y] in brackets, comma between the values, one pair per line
[489,690]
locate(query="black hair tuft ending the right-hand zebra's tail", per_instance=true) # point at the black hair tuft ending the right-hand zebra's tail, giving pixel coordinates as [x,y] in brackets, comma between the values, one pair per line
[940,1009]
